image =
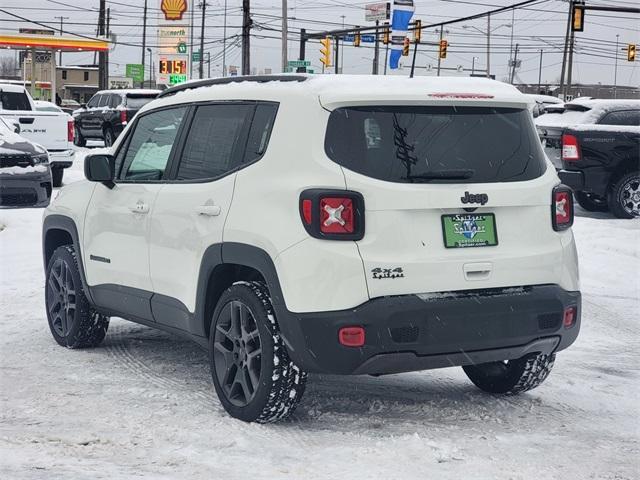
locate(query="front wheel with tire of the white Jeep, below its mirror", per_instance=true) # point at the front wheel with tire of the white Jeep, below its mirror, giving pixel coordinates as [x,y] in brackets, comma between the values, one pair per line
[72,320]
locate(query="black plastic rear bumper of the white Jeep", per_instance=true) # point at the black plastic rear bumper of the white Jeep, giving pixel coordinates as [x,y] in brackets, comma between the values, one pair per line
[411,332]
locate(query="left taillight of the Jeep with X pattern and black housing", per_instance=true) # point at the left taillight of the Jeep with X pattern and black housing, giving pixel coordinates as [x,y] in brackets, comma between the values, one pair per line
[332,214]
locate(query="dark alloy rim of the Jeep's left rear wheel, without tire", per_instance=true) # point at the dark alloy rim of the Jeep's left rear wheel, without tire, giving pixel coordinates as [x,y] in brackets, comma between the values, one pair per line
[237,353]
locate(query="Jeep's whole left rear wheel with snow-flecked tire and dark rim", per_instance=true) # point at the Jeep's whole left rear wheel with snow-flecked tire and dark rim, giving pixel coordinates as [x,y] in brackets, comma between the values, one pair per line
[254,377]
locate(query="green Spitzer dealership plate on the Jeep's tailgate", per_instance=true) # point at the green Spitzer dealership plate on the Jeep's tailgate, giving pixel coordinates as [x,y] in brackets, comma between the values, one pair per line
[469,230]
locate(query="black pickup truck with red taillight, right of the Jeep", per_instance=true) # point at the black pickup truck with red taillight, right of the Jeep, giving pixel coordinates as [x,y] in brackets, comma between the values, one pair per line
[599,141]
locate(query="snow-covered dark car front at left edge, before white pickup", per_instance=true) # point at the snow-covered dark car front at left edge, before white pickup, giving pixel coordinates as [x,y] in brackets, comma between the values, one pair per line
[25,176]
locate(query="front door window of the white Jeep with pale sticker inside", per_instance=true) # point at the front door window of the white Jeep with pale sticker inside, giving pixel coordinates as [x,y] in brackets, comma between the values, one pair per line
[150,145]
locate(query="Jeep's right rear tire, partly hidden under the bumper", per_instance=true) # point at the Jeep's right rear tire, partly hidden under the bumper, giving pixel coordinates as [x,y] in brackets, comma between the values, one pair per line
[511,377]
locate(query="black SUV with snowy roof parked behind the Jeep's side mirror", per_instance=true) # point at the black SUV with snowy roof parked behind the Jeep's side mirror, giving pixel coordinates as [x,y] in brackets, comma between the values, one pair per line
[107,113]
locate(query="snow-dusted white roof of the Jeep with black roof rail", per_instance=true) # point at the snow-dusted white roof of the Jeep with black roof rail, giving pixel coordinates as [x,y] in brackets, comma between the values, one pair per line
[336,90]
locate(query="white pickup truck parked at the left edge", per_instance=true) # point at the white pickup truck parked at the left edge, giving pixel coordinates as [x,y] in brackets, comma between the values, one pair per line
[53,130]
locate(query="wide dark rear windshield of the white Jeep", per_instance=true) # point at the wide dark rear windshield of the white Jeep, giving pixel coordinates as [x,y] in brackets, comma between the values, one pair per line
[441,144]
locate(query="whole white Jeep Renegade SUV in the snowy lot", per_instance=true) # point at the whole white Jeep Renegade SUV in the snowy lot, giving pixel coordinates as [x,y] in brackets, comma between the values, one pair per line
[333,224]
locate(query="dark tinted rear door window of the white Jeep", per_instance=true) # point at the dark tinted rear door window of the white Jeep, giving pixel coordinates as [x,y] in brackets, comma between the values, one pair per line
[215,142]
